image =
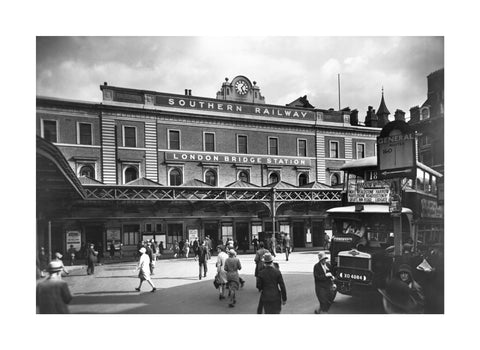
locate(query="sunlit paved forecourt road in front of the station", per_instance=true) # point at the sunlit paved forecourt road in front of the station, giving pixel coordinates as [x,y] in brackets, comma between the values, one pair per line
[111,289]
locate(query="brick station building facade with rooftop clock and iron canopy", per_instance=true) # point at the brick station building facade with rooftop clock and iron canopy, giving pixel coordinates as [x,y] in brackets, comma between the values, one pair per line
[156,165]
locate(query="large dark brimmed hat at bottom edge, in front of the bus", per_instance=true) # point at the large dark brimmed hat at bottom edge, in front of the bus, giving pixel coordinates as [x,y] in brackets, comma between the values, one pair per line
[397,295]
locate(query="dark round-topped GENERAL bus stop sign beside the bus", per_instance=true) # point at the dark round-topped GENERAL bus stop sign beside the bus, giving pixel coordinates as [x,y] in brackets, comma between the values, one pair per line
[396,150]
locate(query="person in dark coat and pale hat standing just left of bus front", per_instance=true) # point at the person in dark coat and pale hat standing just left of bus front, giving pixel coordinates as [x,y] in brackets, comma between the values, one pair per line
[325,288]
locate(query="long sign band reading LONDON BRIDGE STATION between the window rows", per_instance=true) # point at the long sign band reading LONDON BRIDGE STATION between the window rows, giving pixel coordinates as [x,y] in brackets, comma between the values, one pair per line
[235,159]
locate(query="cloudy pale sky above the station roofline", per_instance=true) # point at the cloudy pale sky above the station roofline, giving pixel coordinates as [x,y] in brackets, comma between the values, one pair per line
[284,67]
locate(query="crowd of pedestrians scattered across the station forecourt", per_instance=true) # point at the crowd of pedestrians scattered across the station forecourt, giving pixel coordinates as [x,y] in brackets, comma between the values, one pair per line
[402,293]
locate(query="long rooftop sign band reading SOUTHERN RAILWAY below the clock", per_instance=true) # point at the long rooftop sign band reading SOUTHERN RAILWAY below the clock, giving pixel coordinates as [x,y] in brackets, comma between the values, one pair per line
[227,106]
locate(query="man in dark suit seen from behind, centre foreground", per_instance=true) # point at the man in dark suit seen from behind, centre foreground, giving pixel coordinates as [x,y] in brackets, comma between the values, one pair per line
[270,284]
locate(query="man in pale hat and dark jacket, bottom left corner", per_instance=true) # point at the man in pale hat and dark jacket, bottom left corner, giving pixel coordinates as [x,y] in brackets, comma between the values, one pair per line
[53,294]
